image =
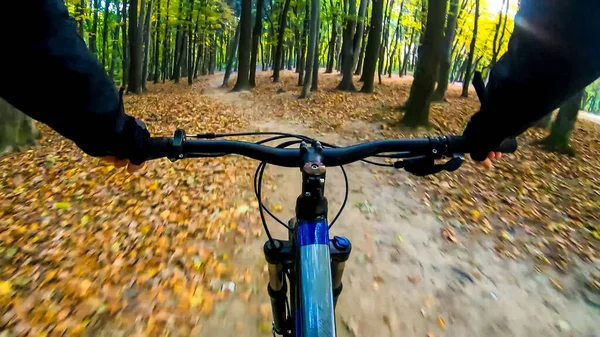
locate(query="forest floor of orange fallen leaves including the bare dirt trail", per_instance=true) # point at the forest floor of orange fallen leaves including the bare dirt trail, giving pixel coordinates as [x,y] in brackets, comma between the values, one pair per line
[87,249]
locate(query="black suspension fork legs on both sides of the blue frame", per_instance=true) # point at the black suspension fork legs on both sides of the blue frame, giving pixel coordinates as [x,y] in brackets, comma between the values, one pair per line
[280,256]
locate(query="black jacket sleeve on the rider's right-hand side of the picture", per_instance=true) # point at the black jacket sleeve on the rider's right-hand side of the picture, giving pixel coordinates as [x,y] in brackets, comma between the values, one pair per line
[553,53]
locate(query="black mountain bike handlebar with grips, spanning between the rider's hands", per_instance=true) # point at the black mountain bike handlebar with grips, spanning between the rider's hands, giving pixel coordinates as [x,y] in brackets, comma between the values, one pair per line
[178,147]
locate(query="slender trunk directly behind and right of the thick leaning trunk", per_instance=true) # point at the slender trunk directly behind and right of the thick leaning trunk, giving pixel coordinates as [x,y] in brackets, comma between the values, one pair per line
[445,56]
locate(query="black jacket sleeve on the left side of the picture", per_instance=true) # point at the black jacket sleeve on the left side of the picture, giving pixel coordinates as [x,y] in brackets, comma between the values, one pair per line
[48,73]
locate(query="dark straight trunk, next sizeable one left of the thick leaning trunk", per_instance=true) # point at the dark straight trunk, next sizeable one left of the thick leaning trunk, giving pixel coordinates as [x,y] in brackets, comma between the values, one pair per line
[372,51]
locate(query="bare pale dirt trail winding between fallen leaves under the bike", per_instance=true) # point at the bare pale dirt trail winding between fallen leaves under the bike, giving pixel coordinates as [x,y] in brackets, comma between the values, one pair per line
[403,279]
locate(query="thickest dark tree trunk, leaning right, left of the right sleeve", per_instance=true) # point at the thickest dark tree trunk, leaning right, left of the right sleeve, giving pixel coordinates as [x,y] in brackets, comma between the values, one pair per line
[417,109]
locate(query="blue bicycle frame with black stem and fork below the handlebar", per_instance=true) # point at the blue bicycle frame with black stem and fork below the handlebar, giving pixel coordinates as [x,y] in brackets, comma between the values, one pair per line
[310,261]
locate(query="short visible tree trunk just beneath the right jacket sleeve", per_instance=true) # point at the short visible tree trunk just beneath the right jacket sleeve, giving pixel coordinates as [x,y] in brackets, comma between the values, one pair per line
[562,128]
